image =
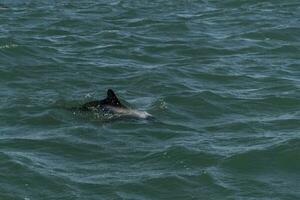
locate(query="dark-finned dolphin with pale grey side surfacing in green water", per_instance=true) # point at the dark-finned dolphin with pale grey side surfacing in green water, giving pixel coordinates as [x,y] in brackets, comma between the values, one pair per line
[112,105]
